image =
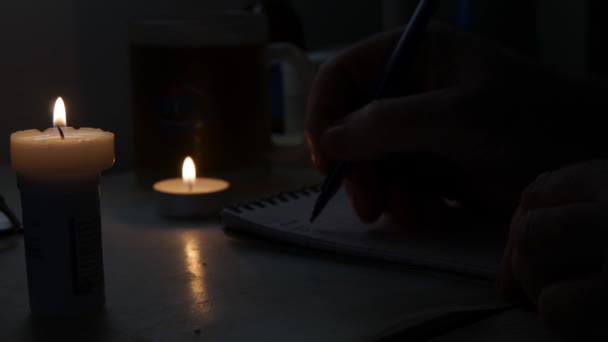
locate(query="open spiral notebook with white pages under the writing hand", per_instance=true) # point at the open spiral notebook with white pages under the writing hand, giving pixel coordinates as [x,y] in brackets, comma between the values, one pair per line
[285,217]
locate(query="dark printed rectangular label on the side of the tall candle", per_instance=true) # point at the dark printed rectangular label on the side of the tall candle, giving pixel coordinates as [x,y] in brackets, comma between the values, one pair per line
[86,254]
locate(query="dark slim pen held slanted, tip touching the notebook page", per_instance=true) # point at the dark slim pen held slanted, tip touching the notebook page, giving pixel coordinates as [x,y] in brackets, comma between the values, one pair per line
[402,52]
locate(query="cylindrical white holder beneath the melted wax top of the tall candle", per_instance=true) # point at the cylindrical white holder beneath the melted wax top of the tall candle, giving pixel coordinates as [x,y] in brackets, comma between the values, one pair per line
[63,246]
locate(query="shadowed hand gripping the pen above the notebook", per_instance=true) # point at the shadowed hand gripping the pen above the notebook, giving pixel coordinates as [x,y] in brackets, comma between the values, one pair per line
[491,115]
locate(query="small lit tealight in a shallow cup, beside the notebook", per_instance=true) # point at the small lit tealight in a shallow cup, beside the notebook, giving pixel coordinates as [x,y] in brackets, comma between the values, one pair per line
[190,196]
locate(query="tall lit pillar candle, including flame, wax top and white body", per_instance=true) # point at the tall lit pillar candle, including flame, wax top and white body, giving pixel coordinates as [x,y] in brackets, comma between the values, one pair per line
[58,172]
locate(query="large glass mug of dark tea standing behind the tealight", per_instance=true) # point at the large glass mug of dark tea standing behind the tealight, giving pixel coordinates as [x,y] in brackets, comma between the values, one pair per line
[200,89]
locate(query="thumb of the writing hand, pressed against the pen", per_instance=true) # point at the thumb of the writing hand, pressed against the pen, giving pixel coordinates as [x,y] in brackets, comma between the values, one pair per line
[418,123]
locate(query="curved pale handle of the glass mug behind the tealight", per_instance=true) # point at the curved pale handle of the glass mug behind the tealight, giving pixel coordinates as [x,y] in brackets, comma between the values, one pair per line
[298,73]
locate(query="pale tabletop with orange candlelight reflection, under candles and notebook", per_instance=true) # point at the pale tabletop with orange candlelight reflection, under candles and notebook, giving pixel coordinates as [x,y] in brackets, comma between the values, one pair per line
[170,280]
